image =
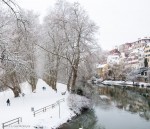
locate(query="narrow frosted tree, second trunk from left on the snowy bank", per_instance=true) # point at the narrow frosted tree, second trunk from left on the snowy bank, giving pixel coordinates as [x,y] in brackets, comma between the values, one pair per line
[31,36]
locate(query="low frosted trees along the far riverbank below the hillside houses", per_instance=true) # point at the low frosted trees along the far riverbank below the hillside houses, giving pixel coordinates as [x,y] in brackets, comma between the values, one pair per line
[121,72]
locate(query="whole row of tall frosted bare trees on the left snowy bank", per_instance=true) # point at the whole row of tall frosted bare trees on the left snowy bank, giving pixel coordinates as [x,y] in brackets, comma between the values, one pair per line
[61,49]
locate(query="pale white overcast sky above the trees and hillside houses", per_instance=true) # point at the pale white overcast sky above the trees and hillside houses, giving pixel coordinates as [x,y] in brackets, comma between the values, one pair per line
[120,21]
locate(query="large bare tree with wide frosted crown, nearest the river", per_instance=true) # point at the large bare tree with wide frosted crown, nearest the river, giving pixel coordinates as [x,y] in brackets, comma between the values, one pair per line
[76,34]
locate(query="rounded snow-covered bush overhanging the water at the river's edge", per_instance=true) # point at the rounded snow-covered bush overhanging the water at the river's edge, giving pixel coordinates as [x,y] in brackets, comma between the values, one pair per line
[77,103]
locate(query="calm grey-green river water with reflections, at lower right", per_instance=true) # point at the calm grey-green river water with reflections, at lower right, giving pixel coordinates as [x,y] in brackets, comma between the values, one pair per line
[122,110]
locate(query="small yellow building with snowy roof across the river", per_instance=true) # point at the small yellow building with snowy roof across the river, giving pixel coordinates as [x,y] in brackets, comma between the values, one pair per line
[102,70]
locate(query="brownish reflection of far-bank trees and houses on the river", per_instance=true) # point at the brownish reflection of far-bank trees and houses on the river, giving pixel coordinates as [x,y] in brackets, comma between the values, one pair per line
[129,99]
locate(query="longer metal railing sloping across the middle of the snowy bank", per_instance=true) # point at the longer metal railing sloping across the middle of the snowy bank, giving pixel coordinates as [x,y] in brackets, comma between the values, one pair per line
[44,109]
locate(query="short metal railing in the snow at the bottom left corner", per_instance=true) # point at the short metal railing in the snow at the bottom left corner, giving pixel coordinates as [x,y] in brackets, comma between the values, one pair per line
[16,120]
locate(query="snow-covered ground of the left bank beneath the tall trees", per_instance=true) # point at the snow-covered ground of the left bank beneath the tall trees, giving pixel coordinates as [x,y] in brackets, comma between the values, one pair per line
[21,107]
